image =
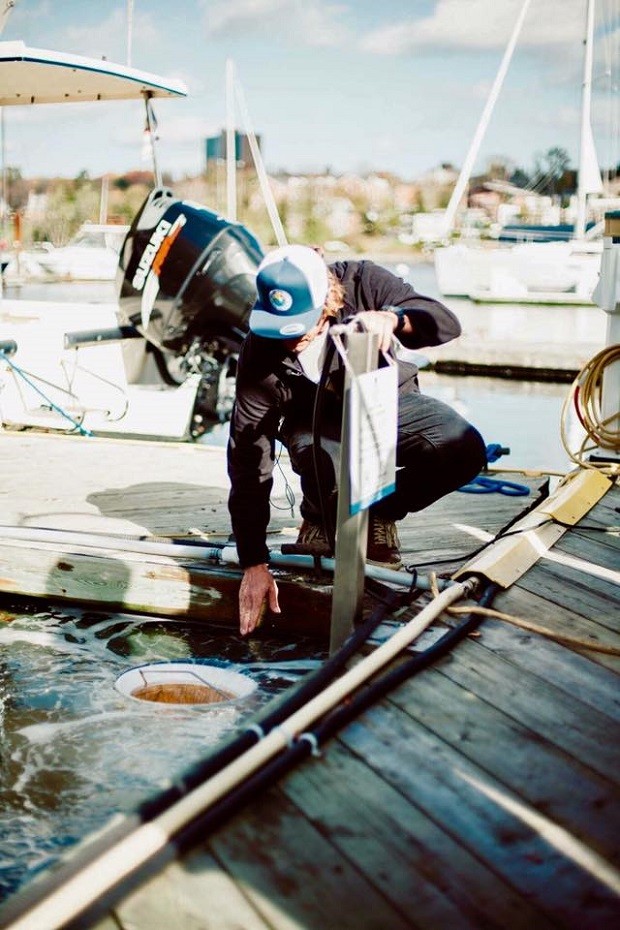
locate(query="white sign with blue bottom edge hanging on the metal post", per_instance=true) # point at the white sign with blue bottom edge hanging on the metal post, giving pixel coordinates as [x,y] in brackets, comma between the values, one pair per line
[372,435]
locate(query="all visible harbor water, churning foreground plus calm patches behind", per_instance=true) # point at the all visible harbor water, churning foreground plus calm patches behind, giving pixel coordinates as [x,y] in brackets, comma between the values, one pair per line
[76,751]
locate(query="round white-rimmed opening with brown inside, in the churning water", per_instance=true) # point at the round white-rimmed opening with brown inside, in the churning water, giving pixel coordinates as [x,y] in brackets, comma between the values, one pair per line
[184,683]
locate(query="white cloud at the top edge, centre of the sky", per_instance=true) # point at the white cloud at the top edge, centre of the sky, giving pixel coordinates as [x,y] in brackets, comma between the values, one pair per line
[312,22]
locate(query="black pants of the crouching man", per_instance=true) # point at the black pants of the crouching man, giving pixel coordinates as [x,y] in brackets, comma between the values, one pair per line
[437,451]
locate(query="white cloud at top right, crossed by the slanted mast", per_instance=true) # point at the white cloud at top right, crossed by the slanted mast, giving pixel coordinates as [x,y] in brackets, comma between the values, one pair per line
[481,25]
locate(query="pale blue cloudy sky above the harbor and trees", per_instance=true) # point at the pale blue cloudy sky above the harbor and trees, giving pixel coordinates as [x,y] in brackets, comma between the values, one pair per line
[344,85]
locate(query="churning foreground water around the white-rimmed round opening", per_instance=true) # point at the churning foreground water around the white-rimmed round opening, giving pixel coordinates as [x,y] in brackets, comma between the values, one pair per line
[77,751]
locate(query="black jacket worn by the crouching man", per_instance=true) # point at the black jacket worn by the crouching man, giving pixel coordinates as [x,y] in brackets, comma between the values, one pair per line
[271,386]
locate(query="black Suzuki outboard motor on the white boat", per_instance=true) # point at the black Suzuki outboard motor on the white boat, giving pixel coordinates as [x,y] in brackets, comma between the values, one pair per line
[186,283]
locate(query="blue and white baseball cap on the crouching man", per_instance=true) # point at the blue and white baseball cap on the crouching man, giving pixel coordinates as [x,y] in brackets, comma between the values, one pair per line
[292,285]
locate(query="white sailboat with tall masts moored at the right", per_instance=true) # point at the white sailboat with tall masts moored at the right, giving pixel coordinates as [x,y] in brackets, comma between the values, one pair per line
[529,272]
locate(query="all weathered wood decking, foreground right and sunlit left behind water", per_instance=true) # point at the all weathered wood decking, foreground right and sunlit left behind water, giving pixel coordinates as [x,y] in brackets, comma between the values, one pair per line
[483,793]
